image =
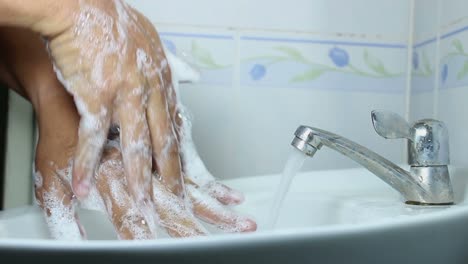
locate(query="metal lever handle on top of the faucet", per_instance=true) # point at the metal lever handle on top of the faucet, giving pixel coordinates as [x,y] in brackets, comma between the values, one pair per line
[390,125]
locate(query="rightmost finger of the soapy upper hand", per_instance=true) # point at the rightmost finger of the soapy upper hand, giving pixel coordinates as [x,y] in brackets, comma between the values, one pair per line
[164,138]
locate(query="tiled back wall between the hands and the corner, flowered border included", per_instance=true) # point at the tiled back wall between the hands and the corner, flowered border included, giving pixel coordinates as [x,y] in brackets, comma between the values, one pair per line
[269,66]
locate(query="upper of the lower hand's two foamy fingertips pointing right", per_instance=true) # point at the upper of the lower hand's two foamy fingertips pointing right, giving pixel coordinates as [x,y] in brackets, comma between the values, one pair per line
[223,193]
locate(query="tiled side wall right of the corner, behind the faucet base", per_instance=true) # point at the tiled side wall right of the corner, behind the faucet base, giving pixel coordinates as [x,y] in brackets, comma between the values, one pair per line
[440,69]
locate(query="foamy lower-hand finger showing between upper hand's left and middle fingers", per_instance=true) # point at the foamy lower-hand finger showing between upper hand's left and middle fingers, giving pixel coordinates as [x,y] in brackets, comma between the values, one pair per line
[128,220]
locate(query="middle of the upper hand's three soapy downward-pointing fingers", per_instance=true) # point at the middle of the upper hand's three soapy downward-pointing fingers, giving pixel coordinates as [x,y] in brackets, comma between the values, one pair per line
[136,146]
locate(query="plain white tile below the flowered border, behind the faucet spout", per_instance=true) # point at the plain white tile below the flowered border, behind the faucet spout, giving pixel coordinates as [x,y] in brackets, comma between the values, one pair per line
[268,117]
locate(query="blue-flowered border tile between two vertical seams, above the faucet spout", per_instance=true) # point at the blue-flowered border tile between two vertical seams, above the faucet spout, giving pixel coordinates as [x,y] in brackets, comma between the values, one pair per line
[322,64]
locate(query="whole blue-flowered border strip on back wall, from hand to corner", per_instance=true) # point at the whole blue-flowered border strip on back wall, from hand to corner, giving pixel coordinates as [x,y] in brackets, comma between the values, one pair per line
[291,60]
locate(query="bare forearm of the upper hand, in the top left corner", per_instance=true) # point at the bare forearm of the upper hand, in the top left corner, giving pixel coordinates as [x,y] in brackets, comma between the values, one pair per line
[47,17]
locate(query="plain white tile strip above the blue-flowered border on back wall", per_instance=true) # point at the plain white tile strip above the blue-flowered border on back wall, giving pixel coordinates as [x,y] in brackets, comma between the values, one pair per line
[357,16]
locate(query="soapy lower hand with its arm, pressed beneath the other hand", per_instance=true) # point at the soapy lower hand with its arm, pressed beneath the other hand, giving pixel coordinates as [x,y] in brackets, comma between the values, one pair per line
[58,121]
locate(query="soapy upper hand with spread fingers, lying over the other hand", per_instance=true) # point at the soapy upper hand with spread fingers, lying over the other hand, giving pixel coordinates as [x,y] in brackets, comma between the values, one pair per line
[110,58]
